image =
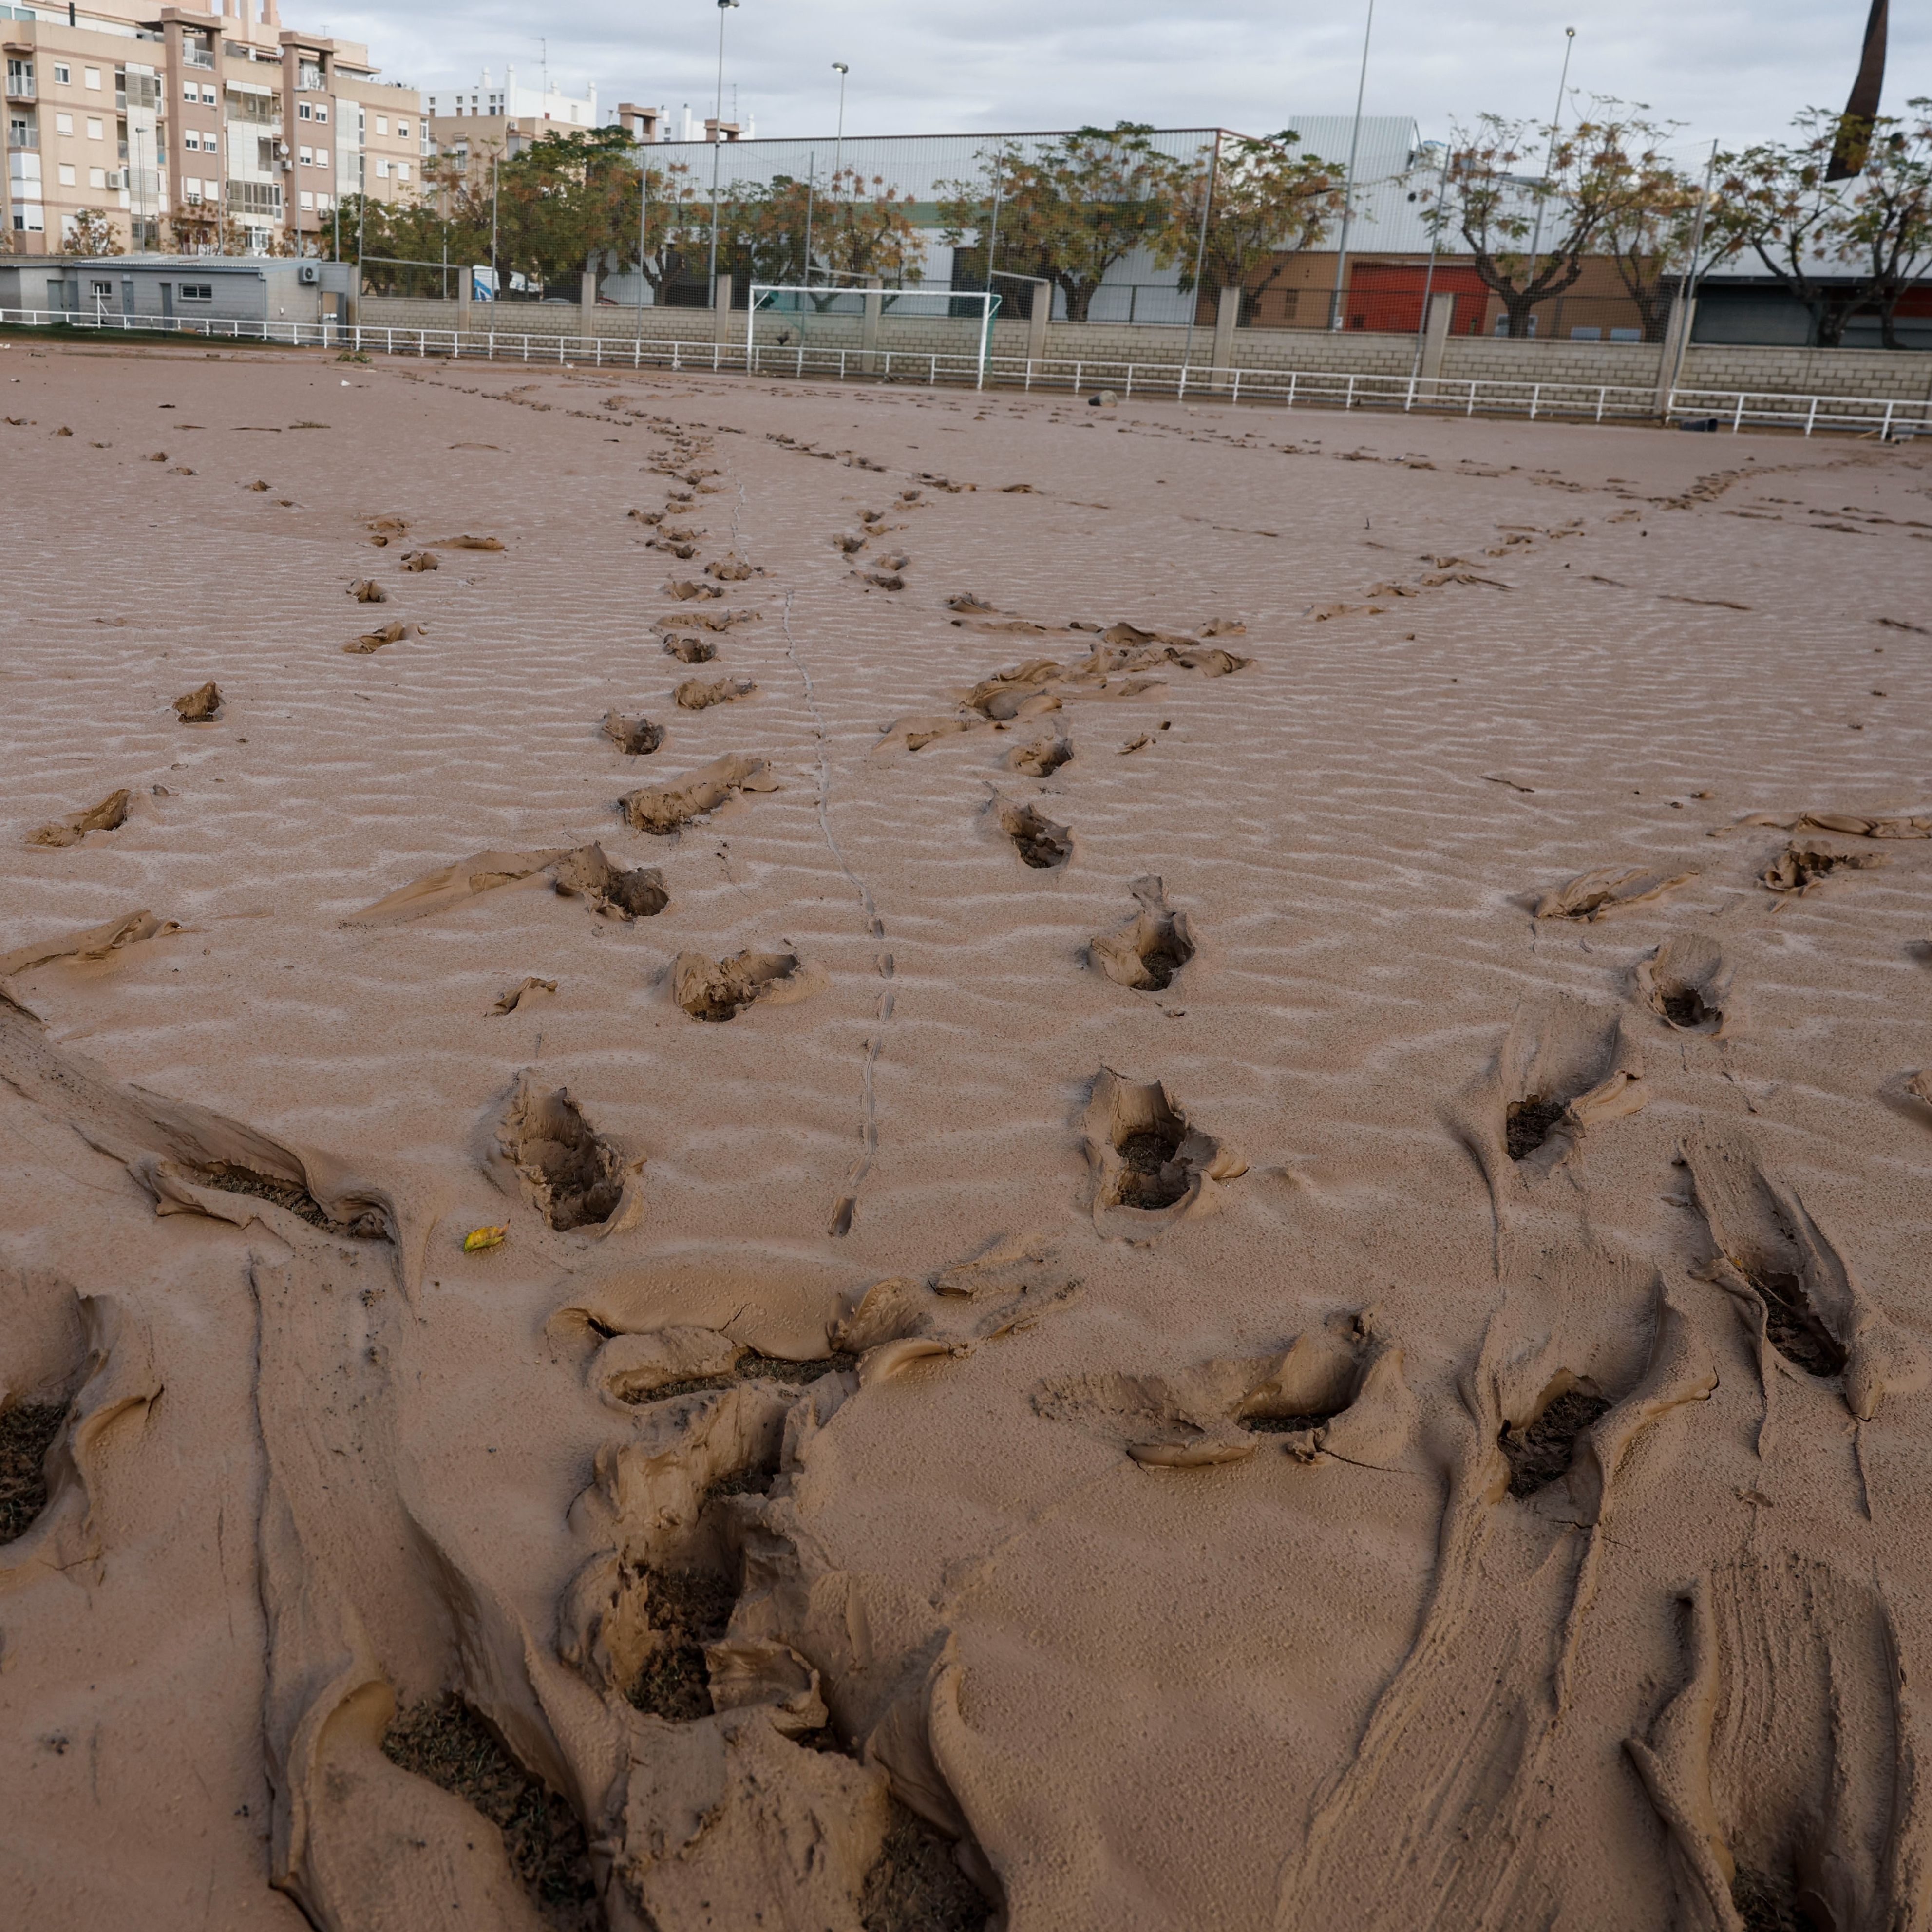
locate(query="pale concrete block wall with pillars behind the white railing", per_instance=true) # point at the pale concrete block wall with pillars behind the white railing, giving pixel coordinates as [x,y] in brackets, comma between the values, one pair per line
[1889,376]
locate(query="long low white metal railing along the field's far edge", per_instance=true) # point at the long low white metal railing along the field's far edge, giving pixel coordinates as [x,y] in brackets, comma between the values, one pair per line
[1290,387]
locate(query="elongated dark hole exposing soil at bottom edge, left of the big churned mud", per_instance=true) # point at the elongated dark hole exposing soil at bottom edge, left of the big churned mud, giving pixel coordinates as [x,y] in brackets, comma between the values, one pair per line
[445,1742]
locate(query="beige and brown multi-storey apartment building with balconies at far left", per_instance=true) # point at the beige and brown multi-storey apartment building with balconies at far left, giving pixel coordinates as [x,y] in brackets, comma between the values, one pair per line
[196,128]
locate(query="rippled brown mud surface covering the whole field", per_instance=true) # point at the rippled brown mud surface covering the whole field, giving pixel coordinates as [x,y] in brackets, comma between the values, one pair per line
[1319,1326]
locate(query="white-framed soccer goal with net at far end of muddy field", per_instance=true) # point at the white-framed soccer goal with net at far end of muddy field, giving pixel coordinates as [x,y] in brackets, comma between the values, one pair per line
[903,327]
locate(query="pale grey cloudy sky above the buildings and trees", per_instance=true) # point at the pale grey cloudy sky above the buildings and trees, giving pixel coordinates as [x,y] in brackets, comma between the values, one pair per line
[1726,69]
